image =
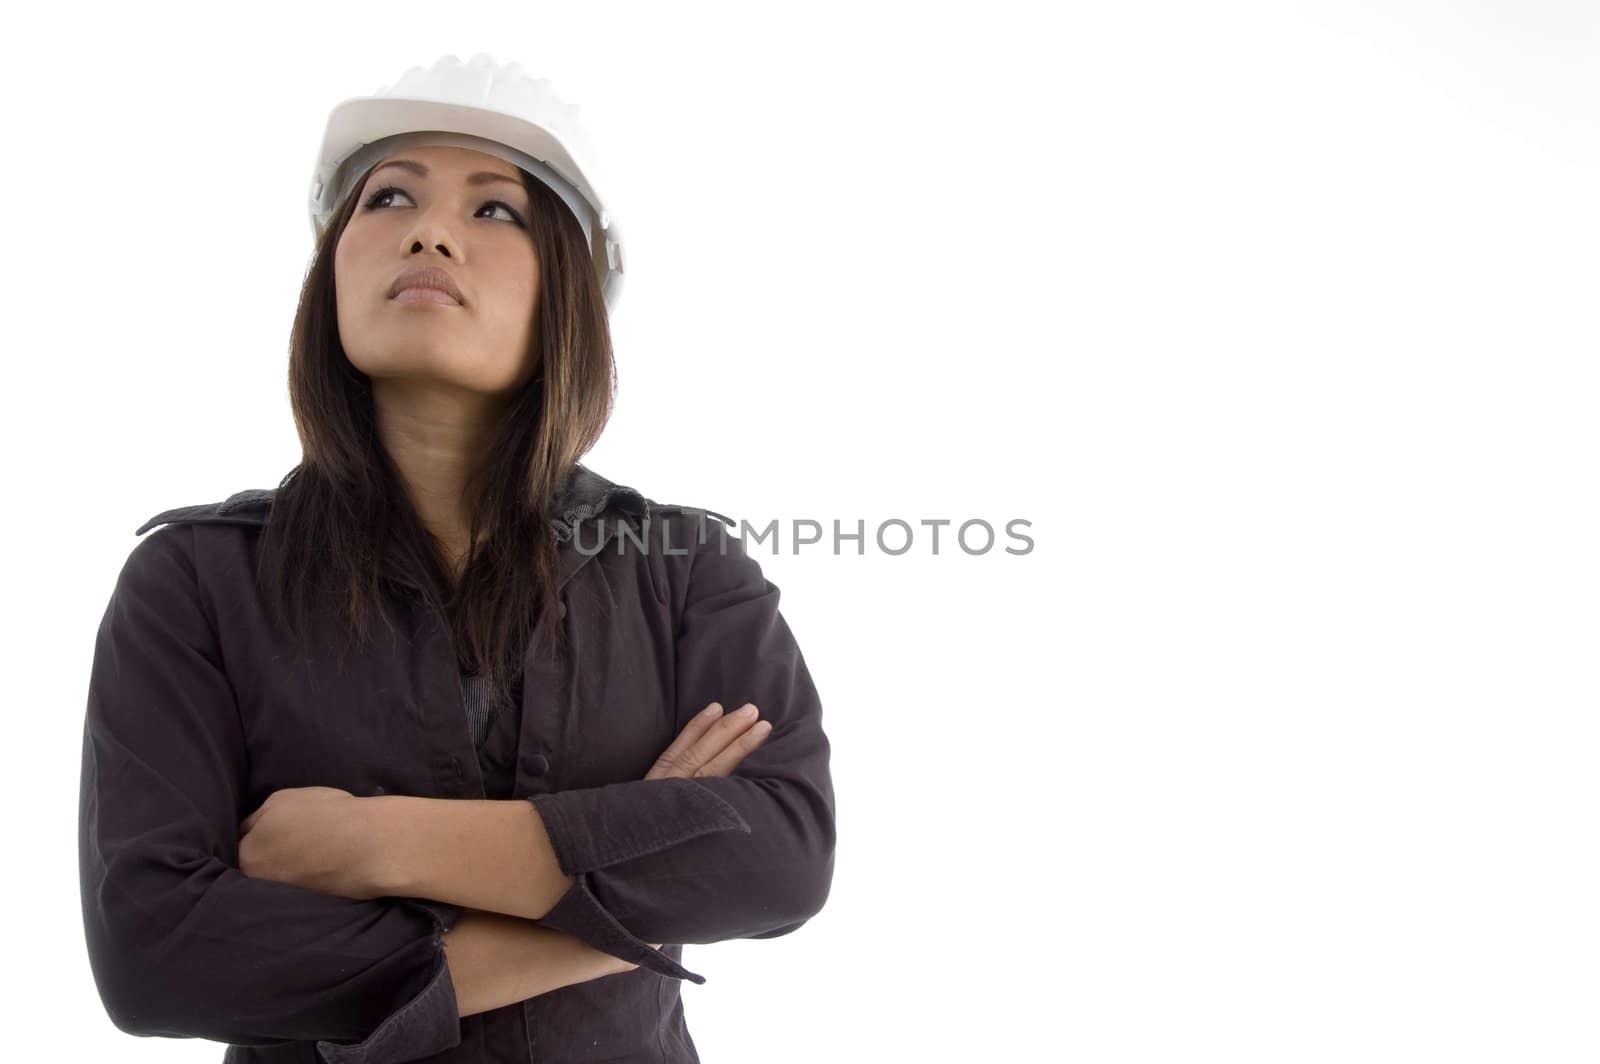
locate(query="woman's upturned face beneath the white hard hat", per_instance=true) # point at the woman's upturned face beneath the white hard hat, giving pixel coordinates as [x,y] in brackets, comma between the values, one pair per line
[454,210]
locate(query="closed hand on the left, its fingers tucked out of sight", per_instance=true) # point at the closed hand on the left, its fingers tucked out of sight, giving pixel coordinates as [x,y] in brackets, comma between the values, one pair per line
[314,838]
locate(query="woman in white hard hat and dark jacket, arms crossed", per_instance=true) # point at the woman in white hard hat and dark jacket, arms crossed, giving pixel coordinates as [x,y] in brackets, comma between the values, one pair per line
[406,761]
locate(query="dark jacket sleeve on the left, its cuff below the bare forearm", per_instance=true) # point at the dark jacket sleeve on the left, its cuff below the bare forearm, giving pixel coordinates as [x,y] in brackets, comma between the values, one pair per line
[182,943]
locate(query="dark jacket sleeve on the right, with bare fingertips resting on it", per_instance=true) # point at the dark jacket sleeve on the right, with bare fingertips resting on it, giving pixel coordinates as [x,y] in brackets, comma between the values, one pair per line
[750,855]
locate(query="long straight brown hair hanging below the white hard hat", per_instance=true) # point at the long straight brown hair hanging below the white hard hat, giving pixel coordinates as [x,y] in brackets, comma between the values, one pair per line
[342,522]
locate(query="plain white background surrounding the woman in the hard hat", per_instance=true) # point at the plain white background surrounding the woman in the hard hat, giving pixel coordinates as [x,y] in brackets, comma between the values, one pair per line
[1278,321]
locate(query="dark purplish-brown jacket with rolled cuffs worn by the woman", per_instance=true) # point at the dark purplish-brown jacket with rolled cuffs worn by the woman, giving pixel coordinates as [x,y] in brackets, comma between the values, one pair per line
[199,708]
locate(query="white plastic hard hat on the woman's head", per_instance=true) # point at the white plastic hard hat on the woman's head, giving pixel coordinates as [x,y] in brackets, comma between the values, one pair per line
[482,105]
